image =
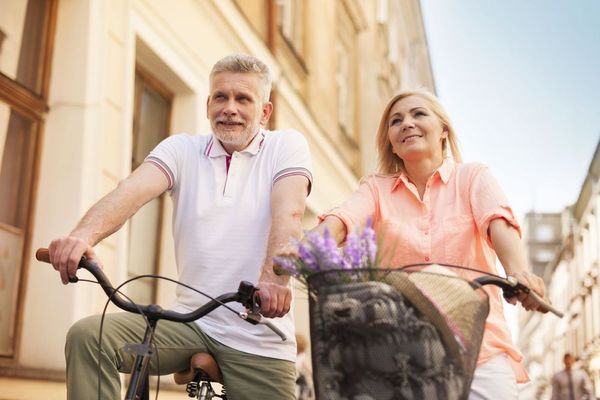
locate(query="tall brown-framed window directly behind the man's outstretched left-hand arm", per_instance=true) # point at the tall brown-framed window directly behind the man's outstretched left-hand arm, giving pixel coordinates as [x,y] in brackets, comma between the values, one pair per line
[150,126]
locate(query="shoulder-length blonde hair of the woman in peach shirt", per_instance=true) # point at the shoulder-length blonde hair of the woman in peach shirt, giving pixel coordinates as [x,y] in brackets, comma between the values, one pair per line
[389,162]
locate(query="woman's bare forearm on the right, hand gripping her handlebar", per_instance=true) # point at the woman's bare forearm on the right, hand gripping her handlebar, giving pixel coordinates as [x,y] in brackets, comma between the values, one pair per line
[512,256]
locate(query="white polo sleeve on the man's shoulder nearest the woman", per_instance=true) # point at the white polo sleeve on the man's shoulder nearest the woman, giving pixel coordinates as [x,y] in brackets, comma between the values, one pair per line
[293,157]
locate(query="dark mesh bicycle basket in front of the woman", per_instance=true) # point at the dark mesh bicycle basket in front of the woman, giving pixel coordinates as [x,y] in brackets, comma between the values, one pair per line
[394,334]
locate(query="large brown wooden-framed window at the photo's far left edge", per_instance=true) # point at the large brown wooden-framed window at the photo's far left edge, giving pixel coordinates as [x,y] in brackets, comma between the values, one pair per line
[26,33]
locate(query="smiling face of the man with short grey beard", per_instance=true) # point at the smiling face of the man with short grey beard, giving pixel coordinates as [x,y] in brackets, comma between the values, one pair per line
[235,108]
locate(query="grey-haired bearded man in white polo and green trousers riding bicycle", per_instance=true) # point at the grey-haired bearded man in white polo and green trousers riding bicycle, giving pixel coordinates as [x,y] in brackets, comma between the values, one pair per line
[238,195]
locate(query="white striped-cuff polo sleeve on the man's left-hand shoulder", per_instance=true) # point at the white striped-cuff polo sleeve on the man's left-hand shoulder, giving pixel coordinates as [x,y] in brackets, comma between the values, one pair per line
[167,157]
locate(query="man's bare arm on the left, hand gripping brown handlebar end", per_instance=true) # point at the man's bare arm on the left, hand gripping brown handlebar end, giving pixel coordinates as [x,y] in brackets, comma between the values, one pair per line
[106,217]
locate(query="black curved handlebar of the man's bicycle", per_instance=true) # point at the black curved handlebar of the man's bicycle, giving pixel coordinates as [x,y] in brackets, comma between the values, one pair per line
[246,295]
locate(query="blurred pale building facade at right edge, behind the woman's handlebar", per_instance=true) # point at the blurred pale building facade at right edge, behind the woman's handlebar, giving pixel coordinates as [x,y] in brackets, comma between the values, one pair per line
[571,268]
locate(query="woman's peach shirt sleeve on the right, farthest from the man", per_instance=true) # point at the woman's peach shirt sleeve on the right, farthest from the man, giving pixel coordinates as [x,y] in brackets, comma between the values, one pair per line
[488,202]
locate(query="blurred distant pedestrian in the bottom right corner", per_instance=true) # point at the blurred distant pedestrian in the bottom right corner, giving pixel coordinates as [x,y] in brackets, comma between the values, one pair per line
[570,383]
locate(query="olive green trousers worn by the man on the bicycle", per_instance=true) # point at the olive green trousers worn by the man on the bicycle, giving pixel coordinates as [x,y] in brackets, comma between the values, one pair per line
[246,376]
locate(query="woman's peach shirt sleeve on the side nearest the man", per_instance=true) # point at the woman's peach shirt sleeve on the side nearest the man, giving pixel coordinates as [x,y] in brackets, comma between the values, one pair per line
[358,208]
